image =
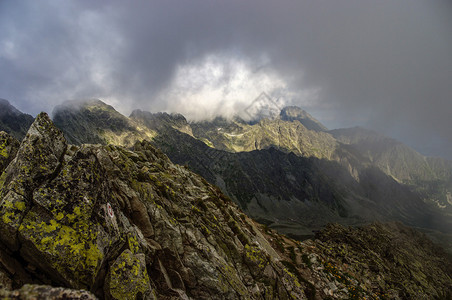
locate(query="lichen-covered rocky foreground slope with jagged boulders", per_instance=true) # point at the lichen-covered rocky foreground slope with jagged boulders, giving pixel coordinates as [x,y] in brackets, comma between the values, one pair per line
[80,222]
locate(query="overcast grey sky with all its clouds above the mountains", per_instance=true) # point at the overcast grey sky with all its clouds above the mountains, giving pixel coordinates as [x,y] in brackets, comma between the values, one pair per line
[384,65]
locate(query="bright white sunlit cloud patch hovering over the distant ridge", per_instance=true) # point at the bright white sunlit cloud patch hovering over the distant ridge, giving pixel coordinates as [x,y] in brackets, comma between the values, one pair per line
[221,85]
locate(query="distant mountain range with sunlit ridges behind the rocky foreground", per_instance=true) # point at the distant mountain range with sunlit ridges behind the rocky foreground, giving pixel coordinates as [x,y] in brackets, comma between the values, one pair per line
[289,172]
